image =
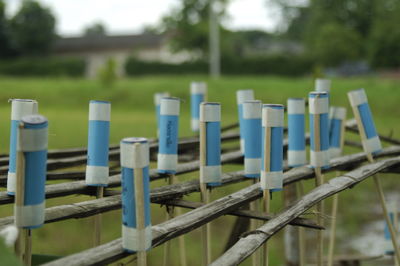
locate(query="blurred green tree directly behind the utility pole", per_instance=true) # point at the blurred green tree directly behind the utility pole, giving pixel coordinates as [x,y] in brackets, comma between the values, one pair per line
[189,23]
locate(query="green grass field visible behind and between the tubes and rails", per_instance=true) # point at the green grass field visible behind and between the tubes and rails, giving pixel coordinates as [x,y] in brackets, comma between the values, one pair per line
[65,103]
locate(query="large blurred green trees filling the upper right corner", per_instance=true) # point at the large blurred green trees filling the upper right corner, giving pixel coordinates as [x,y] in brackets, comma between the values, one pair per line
[361,25]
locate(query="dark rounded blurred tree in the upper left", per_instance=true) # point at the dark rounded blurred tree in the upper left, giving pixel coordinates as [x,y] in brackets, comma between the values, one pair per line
[33,29]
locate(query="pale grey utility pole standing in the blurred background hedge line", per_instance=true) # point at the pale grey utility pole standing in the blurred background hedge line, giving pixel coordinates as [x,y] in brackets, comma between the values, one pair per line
[214,46]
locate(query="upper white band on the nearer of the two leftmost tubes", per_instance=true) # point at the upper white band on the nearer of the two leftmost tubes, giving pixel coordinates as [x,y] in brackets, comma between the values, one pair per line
[32,139]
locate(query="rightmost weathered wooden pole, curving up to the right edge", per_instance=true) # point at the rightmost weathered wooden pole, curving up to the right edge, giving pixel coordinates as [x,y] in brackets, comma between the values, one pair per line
[253,240]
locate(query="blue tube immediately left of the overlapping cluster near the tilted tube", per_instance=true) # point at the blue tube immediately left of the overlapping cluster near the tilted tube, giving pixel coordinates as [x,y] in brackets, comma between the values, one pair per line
[296,153]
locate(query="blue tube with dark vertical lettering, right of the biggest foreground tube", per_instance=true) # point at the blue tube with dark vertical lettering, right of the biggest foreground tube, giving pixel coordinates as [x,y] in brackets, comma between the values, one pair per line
[167,158]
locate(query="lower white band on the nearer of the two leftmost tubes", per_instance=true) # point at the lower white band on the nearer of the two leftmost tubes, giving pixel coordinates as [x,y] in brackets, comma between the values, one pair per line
[29,215]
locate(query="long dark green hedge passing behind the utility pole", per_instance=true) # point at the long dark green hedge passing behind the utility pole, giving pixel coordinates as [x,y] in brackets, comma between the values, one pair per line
[285,65]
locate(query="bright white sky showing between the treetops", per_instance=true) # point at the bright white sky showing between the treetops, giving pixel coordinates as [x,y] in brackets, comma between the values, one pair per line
[130,16]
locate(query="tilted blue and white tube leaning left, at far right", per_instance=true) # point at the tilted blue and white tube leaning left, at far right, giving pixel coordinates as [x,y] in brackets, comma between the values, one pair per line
[369,137]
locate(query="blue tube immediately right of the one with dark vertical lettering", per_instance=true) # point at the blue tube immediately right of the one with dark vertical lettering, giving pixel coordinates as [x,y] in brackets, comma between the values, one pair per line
[210,164]
